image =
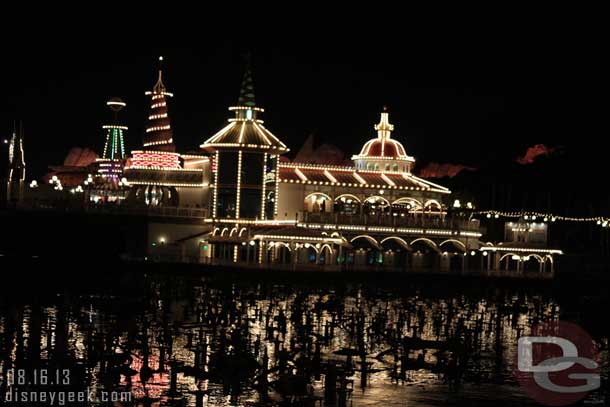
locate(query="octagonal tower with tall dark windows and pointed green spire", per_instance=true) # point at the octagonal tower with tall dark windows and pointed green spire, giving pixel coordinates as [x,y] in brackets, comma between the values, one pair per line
[244,162]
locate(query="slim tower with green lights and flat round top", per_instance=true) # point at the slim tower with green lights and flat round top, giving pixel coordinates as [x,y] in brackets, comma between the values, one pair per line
[111,163]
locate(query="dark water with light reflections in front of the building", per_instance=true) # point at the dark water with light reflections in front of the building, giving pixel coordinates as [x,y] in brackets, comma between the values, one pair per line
[212,337]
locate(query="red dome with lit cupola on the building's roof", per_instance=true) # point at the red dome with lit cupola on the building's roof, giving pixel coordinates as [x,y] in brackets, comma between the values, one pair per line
[384,153]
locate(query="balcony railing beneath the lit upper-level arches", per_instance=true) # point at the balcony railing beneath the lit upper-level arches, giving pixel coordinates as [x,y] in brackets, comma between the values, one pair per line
[417,221]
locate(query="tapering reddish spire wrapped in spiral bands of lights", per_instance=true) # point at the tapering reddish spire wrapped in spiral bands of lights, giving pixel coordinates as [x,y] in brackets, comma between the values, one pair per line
[159,134]
